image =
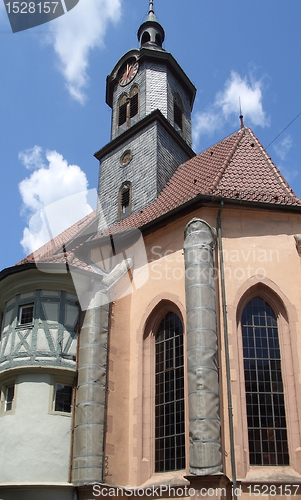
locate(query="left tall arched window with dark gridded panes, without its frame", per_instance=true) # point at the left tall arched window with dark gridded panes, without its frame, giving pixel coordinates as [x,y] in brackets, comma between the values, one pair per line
[169,400]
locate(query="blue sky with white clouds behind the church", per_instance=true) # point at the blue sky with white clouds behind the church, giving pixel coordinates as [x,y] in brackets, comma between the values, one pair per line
[53,115]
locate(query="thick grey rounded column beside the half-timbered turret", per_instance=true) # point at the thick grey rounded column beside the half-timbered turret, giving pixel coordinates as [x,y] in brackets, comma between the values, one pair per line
[91,393]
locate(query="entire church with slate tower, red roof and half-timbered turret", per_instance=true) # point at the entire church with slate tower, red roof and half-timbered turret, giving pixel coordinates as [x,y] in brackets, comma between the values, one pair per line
[152,349]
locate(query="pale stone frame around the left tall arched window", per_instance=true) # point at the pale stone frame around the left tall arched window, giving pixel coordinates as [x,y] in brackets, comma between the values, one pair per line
[151,326]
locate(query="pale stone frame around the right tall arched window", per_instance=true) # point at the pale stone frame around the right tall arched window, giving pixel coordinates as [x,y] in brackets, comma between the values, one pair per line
[287,321]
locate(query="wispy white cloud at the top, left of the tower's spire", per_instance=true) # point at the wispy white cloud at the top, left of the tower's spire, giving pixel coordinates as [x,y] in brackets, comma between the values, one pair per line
[76,34]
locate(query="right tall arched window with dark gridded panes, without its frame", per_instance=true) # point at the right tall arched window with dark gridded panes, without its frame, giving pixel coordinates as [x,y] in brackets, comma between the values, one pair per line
[264,387]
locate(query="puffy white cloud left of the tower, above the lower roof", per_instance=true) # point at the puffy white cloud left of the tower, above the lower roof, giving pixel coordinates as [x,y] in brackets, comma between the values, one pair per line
[57,191]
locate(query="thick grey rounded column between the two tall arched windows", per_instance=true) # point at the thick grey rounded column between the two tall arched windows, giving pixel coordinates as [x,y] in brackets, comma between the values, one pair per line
[205,457]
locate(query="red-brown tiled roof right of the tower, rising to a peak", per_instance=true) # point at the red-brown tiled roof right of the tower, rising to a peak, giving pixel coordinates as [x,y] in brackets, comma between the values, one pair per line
[238,167]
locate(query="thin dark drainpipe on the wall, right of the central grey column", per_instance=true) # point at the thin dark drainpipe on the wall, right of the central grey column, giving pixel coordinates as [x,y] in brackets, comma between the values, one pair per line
[226,338]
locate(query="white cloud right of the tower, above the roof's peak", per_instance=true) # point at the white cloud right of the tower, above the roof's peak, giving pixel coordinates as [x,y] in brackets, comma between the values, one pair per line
[226,106]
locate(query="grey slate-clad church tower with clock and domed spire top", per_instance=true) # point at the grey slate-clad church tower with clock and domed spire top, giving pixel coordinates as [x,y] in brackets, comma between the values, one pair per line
[151,99]
